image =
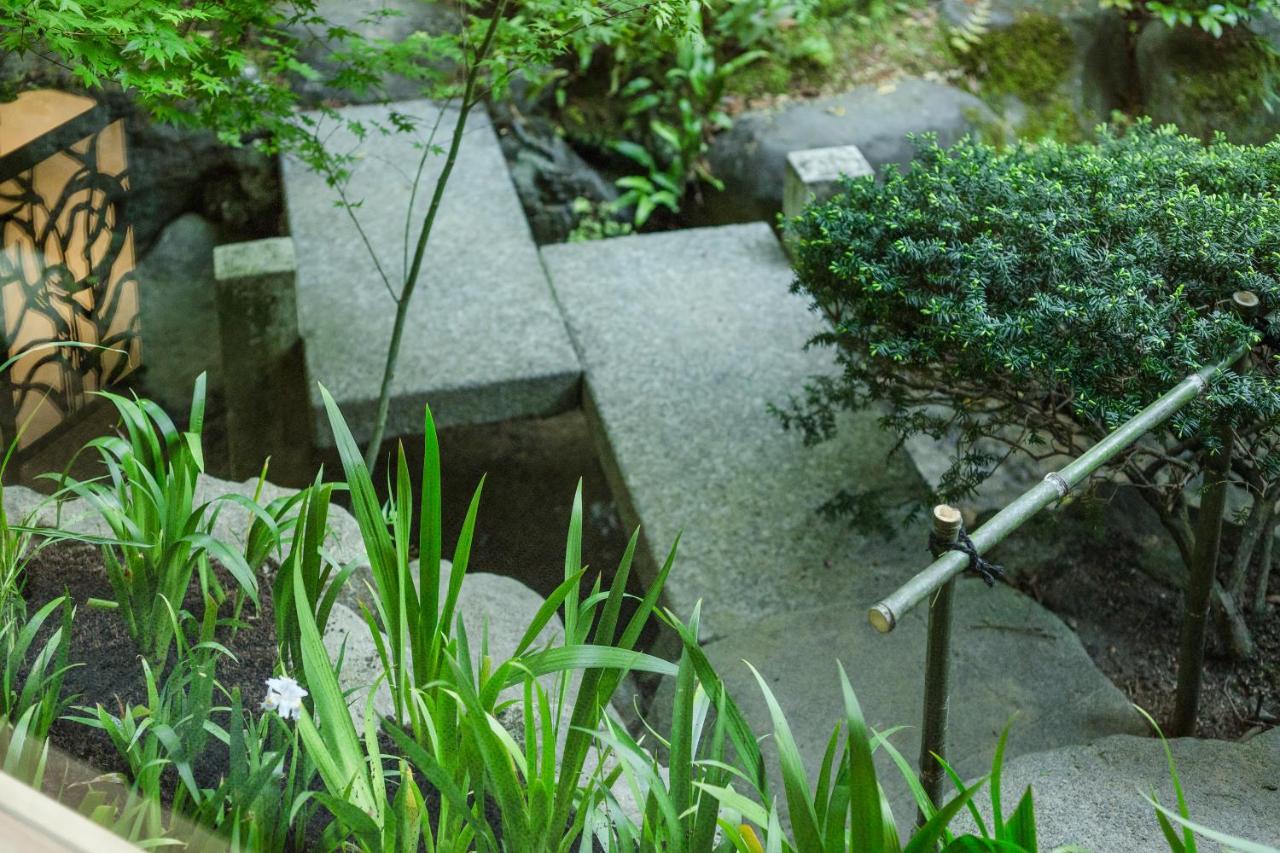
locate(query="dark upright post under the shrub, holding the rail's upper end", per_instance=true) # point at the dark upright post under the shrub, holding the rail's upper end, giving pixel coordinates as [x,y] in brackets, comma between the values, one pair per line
[1200,583]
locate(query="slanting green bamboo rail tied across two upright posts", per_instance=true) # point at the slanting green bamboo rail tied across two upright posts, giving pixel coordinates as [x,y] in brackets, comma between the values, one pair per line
[886,614]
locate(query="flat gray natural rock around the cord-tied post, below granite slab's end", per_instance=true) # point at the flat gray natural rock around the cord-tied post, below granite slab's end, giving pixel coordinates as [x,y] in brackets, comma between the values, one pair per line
[1009,658]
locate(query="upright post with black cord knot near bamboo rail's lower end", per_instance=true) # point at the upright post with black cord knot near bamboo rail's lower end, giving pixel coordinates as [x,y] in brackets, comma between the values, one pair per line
[938,664]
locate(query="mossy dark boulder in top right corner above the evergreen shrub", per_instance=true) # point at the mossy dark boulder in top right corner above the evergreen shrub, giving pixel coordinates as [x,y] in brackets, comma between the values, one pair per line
[1205,85]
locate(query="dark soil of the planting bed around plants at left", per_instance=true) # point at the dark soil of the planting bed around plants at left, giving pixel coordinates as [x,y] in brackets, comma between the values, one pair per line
[112,670]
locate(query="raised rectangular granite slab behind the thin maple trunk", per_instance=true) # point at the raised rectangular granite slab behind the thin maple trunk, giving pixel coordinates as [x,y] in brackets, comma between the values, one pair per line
[484,339]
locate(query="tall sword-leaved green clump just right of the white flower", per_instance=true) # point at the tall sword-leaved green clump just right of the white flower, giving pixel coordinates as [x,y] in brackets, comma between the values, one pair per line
[447,696]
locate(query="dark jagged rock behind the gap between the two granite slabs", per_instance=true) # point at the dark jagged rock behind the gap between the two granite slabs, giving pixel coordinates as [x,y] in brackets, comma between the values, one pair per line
[548,176]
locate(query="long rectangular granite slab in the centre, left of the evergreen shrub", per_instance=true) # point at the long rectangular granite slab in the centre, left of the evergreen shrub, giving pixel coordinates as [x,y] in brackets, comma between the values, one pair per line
[687,339]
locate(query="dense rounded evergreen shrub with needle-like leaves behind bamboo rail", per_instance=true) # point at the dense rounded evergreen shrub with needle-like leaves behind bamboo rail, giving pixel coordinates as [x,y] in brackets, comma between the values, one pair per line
[1037,299]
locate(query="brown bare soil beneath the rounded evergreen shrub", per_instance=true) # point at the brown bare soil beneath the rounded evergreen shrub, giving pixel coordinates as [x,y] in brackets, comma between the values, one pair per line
[1130,624]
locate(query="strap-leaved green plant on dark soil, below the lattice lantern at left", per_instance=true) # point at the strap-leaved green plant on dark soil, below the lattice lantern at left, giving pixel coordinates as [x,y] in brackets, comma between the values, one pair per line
[163,536]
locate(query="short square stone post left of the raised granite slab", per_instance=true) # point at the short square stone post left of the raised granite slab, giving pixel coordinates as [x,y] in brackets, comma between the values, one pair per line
[264,368]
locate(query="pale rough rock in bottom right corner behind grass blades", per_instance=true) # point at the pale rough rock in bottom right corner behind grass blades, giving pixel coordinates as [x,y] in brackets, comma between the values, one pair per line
[1094,795]
